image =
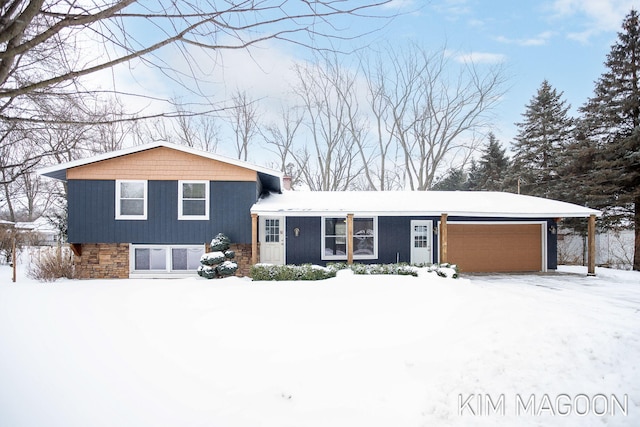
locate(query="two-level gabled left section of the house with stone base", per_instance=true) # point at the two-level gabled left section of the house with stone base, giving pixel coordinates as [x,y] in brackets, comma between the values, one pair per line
[150,210]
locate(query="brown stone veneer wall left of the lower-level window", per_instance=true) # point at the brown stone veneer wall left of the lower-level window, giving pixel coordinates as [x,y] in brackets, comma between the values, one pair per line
[102,261]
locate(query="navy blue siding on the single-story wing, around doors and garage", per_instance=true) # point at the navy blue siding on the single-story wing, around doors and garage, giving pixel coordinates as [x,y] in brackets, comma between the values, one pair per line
[394,239]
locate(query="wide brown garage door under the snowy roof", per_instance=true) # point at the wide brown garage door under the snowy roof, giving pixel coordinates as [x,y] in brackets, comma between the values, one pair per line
[495,247]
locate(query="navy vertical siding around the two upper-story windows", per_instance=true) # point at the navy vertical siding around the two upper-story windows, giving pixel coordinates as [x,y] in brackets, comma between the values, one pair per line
[92,214]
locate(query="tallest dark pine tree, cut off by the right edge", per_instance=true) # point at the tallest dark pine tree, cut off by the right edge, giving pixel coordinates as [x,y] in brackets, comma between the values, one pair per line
[612,122]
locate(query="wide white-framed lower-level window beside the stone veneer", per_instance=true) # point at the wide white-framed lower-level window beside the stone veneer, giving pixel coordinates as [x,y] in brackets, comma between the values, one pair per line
[165,259]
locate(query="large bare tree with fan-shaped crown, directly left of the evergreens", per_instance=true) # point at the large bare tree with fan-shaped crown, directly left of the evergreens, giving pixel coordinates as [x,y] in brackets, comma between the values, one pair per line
[436,109]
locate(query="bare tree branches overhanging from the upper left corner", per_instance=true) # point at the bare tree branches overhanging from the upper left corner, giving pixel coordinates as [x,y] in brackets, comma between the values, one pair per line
[41,40]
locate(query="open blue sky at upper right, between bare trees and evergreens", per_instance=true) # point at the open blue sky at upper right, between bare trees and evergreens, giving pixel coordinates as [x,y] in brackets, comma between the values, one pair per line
[563,41]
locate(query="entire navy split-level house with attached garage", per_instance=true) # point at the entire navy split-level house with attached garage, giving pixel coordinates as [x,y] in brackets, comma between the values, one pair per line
[151,210]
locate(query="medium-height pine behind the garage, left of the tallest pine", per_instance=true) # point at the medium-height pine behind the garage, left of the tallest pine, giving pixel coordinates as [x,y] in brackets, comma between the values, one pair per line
[542,136]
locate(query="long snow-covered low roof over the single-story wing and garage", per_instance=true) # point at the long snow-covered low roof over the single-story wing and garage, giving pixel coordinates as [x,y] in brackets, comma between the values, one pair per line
[424,203]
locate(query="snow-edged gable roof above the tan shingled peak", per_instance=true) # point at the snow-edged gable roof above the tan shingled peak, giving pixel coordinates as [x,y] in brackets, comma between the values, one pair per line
[60,171]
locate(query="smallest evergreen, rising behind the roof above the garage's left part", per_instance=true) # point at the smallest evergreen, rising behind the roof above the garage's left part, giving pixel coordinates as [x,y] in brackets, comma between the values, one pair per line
[493,167]
